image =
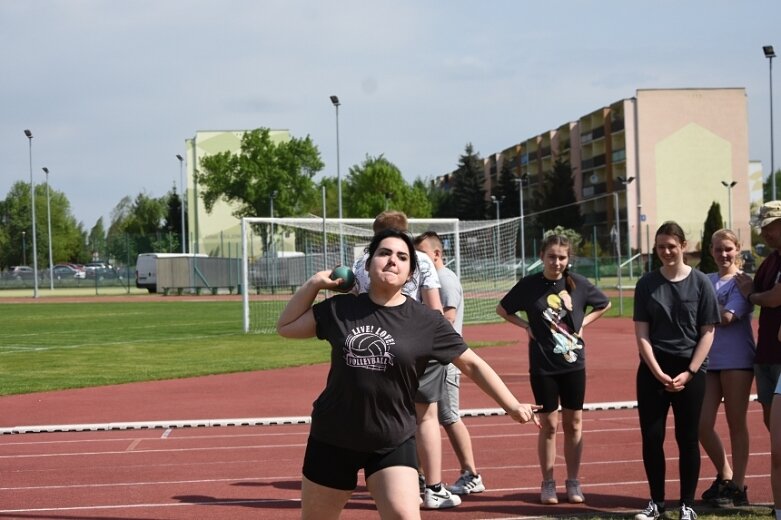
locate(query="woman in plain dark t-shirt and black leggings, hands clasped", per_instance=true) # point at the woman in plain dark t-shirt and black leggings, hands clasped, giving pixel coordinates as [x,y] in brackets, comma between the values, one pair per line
[675,313]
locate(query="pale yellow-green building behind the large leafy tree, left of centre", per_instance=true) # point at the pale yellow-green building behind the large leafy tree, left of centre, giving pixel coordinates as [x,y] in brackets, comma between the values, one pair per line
[217,232]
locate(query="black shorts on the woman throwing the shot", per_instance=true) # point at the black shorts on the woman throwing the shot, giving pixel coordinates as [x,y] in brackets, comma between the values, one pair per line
[337,468]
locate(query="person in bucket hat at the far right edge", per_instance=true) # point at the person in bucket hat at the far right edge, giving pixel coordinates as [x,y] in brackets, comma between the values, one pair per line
[765,290]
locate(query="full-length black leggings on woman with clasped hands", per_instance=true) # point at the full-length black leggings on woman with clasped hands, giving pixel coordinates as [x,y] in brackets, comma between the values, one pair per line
[653,404]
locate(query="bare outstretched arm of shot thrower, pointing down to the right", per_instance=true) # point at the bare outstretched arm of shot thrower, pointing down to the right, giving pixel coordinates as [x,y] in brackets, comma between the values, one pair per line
[489,382]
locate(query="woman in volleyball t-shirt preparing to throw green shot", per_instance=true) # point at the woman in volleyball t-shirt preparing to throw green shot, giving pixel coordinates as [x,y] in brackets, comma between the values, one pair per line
[365,416]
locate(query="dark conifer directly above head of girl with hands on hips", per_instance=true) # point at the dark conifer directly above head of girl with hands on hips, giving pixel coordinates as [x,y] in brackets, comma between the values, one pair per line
[557,192]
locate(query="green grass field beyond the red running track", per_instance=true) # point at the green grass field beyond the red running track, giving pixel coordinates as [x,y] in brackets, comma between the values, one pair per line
[53,346]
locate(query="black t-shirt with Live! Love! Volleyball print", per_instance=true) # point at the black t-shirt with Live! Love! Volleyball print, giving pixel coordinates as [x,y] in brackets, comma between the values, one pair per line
[377,355]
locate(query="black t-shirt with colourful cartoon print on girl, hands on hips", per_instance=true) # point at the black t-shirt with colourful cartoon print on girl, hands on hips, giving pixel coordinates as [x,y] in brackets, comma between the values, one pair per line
[555,315]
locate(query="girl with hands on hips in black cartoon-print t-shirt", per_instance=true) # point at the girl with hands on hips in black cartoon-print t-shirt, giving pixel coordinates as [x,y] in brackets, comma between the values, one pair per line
[555,303]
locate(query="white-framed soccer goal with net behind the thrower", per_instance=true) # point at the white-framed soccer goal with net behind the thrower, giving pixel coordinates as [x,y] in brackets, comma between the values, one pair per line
[280,254]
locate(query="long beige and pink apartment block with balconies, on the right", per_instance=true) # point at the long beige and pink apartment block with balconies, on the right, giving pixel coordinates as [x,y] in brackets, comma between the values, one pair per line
[665,154]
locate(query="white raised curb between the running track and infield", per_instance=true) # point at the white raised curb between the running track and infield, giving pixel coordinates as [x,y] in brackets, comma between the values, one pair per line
[259,421]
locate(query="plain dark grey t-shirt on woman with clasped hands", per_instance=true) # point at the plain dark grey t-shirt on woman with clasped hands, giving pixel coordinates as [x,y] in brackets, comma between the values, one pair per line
[675,311]
